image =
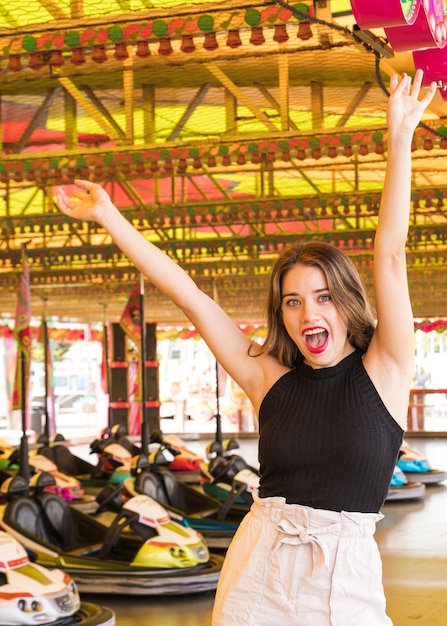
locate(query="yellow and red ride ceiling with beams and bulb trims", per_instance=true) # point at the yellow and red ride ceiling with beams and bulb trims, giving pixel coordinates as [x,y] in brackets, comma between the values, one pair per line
[222,130]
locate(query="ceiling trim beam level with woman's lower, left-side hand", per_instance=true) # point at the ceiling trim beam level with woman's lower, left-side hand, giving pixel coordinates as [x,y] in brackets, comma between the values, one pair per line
[318,210]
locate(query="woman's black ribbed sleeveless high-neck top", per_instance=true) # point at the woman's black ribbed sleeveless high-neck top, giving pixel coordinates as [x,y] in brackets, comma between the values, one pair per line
[327,440]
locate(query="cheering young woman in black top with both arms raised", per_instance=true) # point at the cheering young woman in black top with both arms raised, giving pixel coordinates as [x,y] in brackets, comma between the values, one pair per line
[330,387]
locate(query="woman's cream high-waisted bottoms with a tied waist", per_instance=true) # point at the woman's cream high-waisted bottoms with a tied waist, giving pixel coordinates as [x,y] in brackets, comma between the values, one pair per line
[290,565]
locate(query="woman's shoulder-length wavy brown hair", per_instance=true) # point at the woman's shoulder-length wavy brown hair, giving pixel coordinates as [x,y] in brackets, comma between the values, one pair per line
[345,287]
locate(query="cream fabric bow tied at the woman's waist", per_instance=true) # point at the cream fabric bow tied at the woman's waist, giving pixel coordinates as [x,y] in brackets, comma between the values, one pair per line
[292,533]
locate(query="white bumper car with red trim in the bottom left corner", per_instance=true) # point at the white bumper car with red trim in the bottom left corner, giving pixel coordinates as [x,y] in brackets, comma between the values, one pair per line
[31,594]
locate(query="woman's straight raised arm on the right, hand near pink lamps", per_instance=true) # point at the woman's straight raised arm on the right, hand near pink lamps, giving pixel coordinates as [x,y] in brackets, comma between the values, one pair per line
[389,360]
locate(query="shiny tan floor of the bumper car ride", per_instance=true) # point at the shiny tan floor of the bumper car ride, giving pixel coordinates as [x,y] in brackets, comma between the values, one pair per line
[412,538]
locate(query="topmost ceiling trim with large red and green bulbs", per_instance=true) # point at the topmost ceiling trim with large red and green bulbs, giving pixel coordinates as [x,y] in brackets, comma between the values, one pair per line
[68,43]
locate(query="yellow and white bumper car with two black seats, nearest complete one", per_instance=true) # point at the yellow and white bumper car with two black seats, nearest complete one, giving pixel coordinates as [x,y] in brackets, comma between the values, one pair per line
[139,551]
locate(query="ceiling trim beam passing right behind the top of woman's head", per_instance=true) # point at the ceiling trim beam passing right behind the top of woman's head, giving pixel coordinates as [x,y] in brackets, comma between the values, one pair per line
[207,257]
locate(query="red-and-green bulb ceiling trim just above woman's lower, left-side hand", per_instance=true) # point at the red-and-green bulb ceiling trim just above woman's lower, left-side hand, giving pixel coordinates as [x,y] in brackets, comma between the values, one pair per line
[136,162]
